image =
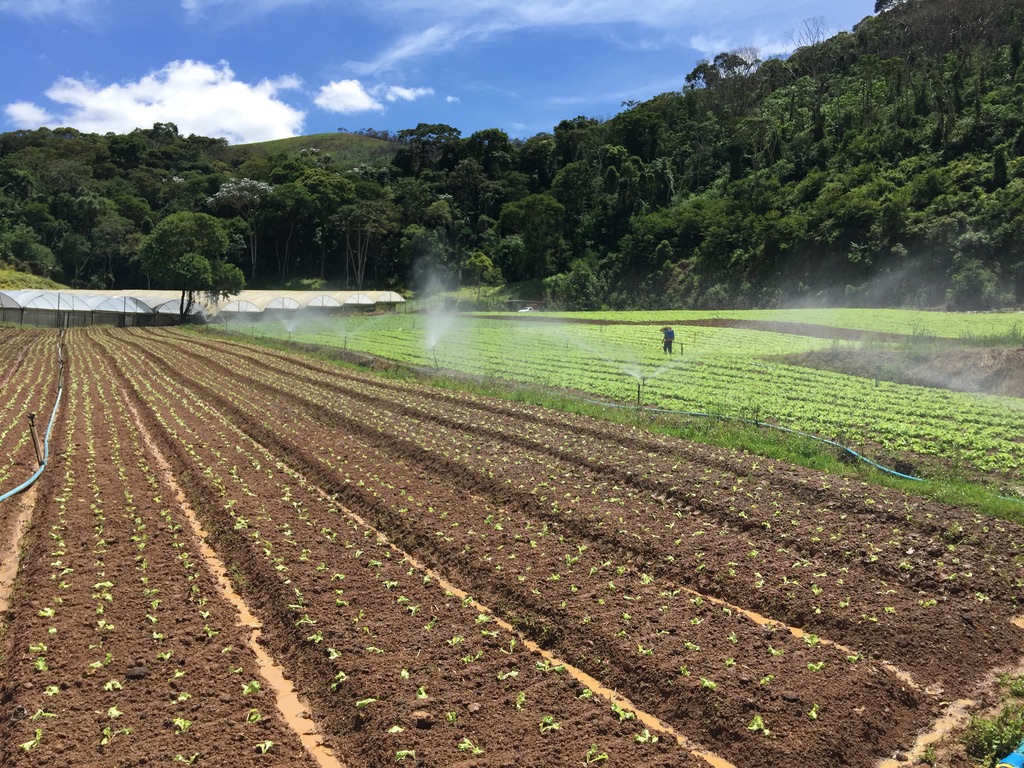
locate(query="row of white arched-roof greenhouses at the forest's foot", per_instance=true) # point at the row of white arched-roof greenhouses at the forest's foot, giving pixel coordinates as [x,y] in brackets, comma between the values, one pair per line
[80,308]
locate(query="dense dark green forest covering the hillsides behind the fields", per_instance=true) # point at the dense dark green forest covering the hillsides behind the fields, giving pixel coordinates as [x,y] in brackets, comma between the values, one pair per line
[882,166]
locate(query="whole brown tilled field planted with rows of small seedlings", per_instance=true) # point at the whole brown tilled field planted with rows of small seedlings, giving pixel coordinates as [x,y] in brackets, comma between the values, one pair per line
[450,580]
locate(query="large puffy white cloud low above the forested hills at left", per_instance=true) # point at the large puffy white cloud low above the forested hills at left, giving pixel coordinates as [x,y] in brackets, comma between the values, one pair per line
[199,98]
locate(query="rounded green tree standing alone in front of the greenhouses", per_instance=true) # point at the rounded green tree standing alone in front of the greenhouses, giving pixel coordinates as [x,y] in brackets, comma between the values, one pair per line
[186,252]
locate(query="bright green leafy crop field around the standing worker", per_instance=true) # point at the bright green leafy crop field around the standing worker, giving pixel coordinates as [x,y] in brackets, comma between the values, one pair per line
[727,372]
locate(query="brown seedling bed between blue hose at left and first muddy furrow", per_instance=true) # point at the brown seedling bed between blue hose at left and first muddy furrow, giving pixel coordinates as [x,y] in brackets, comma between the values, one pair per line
[119,643]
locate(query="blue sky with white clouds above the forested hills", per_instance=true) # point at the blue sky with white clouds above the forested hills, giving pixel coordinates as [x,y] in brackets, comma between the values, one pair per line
[257,70]
